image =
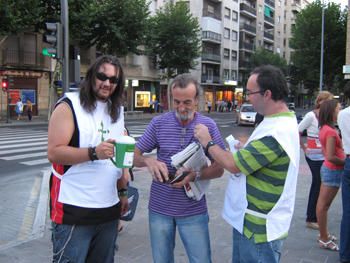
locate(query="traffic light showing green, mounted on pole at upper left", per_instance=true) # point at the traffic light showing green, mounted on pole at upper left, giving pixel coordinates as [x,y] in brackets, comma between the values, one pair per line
[55,39]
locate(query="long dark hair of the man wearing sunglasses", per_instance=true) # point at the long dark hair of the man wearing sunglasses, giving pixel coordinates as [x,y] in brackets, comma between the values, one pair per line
[87,97]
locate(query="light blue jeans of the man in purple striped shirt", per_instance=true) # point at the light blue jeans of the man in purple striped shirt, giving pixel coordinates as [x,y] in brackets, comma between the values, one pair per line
[194,233]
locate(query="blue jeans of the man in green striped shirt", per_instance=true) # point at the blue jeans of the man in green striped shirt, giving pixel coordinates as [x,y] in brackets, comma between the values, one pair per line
[247,251]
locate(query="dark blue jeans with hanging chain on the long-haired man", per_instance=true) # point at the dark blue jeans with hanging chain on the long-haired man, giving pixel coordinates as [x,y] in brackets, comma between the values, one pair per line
[90,243]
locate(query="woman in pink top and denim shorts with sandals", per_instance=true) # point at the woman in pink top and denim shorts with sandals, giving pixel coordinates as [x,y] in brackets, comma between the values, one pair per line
[331,170]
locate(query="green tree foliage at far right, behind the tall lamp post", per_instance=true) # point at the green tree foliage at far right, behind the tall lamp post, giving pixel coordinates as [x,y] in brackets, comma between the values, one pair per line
[306,42]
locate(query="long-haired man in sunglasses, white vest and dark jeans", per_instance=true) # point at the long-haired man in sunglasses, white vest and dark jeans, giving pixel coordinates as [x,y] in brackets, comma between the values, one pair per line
[85,204]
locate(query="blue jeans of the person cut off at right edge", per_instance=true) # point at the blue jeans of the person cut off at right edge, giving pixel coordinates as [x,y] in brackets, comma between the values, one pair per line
[344,252]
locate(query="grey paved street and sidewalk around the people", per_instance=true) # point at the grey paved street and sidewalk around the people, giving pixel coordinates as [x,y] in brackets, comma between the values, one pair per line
[31,241]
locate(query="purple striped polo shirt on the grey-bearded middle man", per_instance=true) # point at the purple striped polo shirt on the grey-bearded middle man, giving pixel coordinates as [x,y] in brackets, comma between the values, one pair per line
[166,134]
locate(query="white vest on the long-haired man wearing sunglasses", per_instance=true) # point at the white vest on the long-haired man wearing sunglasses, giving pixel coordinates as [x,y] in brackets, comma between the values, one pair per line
[92,184]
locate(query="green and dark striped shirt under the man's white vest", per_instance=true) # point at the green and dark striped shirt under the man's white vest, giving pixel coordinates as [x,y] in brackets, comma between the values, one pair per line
[266,164]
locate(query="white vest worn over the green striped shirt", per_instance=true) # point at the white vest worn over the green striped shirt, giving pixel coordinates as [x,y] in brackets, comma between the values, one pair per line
[285,131]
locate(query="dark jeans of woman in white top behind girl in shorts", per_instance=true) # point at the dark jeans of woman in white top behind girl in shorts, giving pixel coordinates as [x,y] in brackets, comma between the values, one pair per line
[315,167]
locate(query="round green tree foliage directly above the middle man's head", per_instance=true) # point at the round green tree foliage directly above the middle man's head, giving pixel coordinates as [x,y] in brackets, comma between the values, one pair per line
[174,38]
